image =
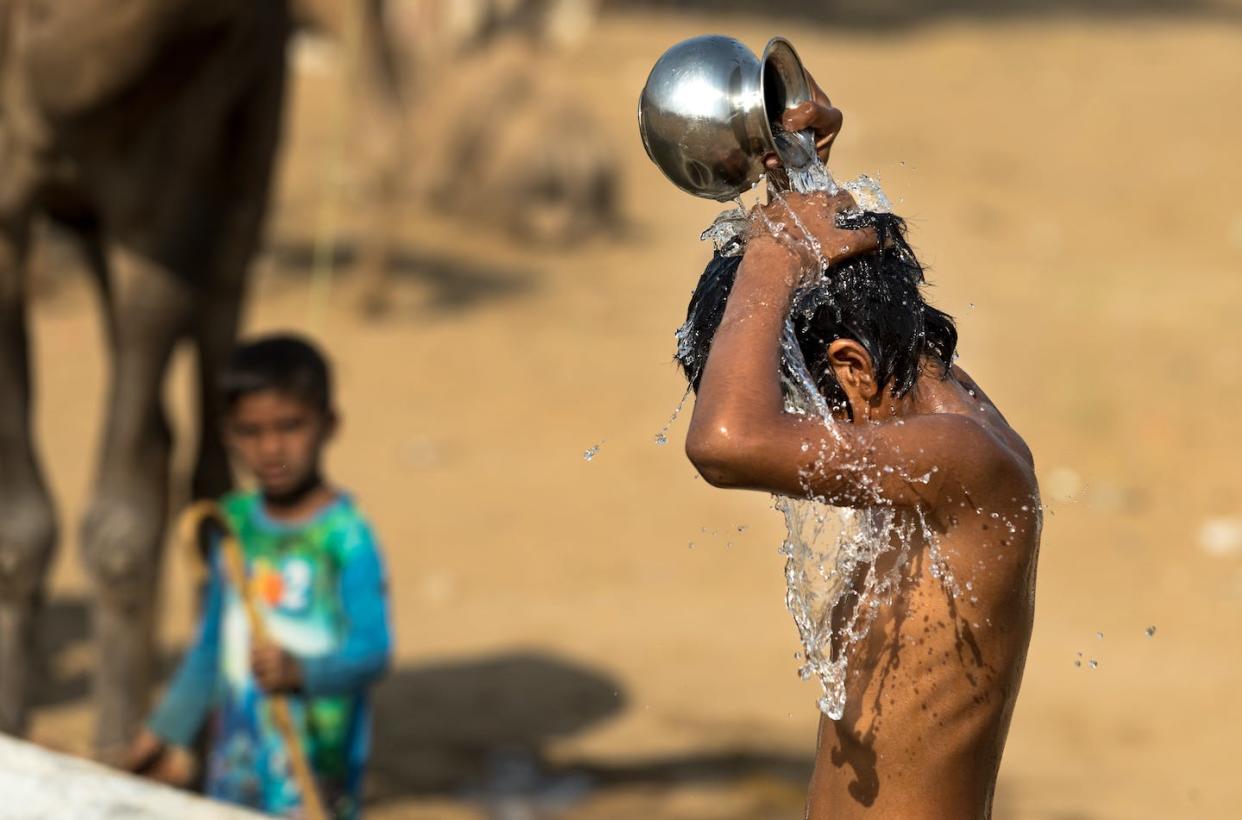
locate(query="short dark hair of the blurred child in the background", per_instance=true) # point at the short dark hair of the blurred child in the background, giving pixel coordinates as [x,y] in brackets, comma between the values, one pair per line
[284,362]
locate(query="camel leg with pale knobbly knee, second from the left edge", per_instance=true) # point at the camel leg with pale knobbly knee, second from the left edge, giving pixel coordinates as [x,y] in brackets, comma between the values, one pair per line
[148,310]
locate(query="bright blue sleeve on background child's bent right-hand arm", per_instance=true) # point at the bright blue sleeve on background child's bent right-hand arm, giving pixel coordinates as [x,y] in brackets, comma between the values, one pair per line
[366,648]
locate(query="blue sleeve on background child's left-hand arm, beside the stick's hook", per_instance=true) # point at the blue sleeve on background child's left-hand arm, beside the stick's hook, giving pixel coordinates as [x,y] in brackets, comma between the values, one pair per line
[191,695]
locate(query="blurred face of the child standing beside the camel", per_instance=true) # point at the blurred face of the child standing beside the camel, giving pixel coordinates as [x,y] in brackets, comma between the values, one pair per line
[279,439]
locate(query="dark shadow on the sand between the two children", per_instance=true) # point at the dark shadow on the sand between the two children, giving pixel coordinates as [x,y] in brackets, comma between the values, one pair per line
[478,730]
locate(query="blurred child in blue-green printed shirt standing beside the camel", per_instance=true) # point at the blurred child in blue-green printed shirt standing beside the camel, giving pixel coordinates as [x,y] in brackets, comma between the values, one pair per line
[317,581]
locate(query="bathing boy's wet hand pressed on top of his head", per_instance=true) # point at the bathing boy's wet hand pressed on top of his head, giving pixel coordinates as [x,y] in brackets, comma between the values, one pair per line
[818,214]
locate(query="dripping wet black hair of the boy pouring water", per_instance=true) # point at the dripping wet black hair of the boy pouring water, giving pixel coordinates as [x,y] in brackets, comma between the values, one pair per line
[874,299]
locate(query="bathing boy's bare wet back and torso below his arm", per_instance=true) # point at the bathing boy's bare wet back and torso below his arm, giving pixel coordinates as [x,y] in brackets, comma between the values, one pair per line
[932,690]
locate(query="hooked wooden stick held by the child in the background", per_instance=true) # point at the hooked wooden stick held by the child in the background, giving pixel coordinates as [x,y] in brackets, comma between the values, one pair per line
[235,567]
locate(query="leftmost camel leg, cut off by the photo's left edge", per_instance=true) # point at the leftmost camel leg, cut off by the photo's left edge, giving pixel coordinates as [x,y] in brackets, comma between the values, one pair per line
[28,522]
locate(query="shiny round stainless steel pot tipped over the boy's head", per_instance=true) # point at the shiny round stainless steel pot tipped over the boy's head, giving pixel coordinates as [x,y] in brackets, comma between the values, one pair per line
[709,110]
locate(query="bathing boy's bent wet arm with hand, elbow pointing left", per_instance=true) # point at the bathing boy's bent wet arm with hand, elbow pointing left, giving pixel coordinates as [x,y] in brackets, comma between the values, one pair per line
[741,434]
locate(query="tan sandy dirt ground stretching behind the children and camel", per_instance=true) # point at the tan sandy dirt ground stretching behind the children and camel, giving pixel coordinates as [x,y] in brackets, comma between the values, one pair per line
[608,638]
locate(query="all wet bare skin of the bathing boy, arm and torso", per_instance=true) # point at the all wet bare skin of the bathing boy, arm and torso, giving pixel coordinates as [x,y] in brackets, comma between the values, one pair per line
[932,690]
